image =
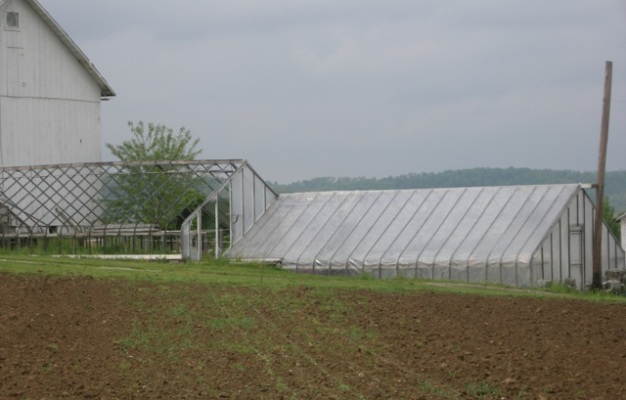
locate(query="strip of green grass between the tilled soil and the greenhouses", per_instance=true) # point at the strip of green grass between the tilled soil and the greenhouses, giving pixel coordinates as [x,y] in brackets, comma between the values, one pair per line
[270,277]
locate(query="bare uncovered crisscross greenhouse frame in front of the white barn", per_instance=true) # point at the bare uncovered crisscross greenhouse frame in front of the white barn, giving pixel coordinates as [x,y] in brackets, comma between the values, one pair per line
[113,207]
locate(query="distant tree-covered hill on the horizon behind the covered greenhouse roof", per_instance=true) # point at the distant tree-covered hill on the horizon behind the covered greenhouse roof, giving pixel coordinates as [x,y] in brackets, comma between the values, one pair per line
[615,181]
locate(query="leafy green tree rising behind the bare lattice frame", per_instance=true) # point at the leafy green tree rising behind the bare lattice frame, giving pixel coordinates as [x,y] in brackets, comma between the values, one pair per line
[152,188]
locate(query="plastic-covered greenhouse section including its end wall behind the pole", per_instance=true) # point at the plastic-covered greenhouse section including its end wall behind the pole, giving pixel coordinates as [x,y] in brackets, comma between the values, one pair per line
[517,235]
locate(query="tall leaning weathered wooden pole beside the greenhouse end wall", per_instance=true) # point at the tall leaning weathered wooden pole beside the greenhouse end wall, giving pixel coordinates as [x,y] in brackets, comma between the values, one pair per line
[604,139]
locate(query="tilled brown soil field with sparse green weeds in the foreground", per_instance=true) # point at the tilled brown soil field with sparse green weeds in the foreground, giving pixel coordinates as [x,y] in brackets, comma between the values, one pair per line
[82,338]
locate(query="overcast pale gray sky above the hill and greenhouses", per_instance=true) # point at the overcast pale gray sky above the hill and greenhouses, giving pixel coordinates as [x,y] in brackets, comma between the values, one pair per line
[363,88]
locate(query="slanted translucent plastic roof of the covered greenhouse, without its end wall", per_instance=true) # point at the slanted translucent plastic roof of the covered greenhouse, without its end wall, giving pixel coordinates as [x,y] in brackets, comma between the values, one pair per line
[399,229]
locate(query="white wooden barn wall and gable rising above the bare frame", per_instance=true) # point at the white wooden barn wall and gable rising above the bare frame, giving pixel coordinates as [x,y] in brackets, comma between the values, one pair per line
[50,93]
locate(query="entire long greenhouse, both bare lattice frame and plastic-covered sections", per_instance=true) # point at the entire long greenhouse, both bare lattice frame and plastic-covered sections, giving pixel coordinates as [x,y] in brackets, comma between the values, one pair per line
[514,235]
